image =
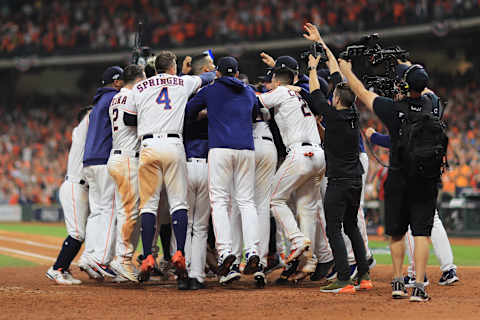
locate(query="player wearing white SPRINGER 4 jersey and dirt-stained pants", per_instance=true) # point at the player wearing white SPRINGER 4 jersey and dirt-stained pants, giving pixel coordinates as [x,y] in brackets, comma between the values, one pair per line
[160,103]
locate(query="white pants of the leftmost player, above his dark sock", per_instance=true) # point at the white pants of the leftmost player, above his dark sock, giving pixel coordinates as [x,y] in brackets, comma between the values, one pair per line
[74,200]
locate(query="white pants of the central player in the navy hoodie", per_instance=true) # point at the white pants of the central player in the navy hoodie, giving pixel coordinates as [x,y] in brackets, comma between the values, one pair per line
[232,177]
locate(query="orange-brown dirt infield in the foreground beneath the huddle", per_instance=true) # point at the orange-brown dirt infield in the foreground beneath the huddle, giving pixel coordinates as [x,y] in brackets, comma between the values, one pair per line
[27,293]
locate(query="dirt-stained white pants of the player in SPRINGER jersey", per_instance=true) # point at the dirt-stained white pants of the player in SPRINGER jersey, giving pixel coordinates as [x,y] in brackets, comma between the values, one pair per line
[162,161]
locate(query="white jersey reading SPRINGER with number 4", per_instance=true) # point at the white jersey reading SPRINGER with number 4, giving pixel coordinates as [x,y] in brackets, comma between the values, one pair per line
[160,101]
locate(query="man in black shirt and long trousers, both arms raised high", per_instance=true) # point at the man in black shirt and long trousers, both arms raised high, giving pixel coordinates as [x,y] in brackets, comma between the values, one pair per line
[344,171]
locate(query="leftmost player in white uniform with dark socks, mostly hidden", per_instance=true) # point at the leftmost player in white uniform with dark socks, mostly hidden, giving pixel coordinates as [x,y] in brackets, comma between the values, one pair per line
[73,196]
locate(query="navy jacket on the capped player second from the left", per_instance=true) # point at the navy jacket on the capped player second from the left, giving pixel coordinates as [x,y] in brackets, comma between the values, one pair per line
[99,136]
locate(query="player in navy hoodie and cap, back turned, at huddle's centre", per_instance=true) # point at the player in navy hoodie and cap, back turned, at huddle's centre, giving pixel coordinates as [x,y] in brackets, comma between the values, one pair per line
[231,160]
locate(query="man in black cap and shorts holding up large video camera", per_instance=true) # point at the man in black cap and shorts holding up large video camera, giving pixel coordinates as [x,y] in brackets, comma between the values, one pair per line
[410,199]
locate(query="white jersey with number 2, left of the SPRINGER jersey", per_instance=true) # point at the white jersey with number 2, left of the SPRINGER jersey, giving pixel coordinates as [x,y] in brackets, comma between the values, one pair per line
[123,136]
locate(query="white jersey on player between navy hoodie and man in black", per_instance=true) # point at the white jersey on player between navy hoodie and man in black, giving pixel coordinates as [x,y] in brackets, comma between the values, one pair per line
[292,115]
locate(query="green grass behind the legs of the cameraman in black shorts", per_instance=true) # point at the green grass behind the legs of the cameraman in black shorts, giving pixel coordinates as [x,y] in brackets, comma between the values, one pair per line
[462,255]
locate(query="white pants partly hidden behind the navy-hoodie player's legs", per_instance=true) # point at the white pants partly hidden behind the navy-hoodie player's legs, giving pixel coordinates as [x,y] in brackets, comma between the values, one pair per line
[265,165]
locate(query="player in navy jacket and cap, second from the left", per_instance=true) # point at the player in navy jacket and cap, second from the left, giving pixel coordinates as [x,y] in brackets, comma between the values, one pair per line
[101,221]
